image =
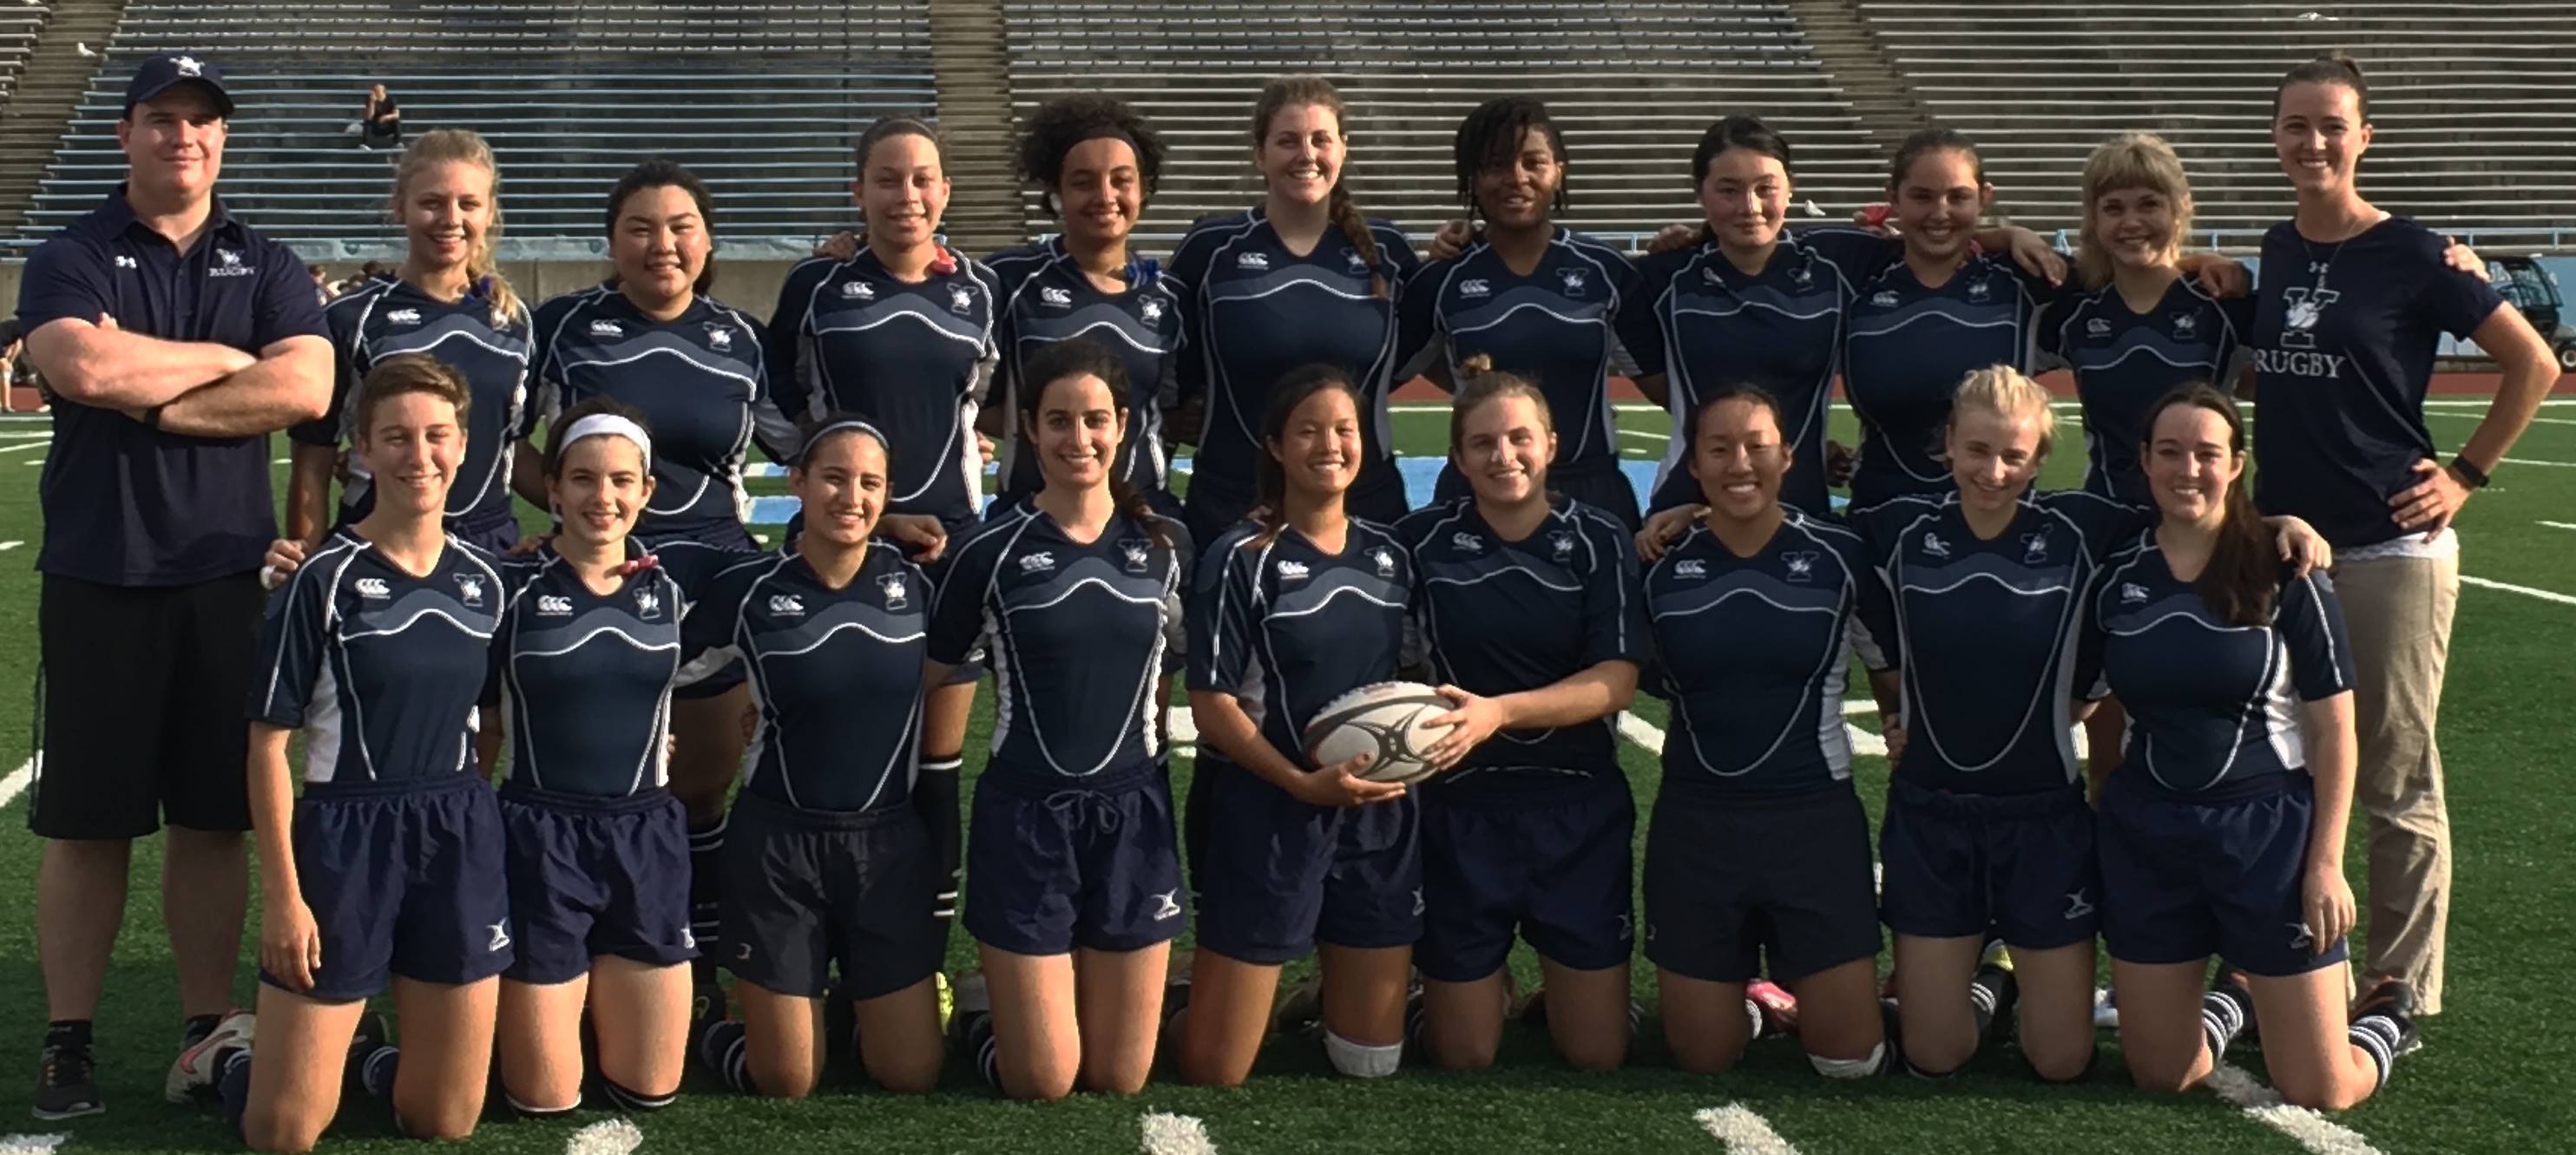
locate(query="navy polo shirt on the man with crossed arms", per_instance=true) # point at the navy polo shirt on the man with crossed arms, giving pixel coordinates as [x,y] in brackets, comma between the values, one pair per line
[128,504]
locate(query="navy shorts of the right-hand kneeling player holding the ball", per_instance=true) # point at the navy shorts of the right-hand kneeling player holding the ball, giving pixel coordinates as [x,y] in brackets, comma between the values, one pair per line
[1547,865]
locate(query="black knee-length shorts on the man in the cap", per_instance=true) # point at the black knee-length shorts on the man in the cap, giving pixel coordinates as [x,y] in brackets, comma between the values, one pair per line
[143,708]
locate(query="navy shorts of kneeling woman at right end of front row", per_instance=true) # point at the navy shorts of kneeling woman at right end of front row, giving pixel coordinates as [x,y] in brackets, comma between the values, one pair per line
[2186,878]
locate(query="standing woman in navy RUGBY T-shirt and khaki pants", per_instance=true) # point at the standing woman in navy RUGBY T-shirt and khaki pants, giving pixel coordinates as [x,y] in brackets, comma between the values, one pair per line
[2345,336]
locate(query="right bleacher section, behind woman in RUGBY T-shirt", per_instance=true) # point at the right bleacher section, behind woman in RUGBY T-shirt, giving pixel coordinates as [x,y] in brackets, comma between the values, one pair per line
[2469,102]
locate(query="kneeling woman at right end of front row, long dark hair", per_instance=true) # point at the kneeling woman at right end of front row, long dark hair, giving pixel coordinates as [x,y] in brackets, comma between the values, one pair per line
[2224,824]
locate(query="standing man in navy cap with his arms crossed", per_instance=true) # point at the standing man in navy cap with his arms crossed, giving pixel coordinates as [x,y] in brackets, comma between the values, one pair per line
[176,339]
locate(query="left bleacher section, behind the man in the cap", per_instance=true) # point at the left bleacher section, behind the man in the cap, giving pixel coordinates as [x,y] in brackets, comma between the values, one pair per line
[761,99]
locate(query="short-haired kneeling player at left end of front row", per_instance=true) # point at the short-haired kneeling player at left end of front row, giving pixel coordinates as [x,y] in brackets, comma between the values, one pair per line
[393,860]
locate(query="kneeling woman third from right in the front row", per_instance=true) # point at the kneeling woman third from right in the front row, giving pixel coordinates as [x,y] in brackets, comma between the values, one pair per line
[1758,842]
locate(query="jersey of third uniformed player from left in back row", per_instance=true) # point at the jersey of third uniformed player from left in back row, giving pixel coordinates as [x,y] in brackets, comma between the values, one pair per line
[916,360]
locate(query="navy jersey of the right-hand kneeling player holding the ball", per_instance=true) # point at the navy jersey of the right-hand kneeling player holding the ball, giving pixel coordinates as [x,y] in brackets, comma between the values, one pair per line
[1506,617]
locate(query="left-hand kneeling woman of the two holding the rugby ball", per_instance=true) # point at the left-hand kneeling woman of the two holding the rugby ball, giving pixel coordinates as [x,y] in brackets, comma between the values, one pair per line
[1292,610]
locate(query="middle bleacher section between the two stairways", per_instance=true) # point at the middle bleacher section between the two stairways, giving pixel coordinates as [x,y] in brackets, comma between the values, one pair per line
[1632,84]
